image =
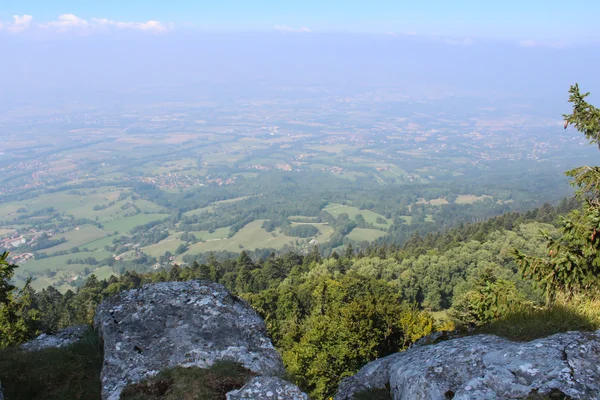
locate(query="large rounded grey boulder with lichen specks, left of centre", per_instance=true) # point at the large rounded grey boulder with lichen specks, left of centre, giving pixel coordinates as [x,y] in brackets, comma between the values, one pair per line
[192,323]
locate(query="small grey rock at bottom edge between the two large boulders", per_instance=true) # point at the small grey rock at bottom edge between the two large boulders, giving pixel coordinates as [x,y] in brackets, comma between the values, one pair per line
[268,388]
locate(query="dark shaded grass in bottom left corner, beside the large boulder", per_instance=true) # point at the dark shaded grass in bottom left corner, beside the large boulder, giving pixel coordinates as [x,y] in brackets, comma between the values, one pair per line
[68,373]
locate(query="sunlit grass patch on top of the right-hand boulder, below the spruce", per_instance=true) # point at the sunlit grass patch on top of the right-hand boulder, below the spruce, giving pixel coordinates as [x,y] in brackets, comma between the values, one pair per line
[580,313]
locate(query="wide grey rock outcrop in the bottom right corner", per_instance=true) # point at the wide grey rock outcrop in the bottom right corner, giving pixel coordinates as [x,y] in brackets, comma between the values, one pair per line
[487,367]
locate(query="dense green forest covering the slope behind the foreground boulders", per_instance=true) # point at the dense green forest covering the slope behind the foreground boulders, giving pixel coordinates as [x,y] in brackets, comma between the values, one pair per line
[329,316]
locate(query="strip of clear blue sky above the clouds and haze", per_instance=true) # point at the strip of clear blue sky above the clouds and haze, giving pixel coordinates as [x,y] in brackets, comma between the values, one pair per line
[574,20]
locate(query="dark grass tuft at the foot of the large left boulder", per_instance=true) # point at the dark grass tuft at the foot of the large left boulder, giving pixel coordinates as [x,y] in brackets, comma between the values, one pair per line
[190,383]
